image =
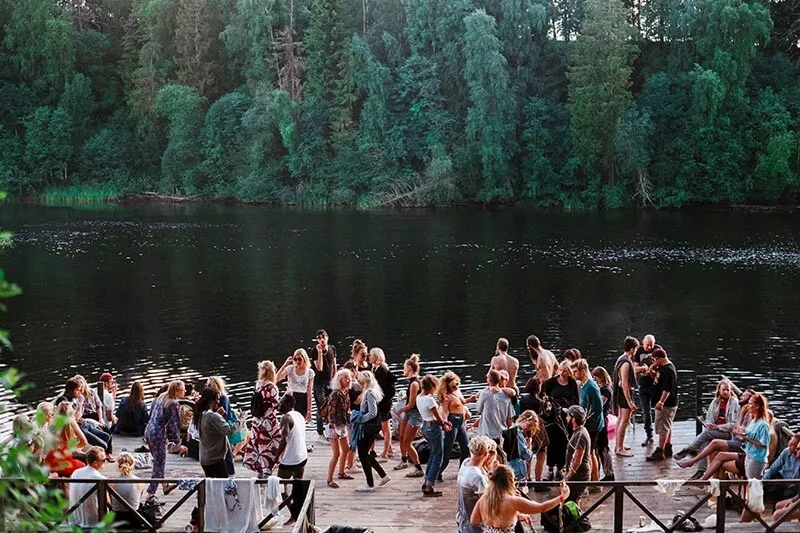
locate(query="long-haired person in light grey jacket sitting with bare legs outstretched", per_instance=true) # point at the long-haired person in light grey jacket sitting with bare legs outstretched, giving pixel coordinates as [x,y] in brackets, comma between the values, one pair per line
[722,416]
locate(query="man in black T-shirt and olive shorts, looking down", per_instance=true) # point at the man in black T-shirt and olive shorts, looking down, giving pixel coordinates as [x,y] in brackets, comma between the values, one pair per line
[666,377]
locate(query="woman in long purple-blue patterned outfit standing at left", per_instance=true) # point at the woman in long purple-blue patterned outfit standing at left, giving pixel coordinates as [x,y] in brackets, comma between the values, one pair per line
[163,429]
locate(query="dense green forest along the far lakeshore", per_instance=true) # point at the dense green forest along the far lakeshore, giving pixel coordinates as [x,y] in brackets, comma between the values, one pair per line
[573,104]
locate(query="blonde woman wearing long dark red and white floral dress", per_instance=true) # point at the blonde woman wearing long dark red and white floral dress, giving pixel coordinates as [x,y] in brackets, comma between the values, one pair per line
[262,451]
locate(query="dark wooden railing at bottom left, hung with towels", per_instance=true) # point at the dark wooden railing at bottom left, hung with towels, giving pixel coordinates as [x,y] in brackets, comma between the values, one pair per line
[102,490]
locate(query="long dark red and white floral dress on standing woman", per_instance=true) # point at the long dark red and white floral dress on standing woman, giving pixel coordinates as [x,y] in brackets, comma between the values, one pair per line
[261,452]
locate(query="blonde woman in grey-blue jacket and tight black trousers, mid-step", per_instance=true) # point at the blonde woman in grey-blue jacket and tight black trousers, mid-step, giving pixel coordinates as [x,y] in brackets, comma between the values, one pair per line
[369,423]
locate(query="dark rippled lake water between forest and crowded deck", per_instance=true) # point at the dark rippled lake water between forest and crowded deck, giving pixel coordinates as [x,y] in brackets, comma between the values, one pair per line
[151,293]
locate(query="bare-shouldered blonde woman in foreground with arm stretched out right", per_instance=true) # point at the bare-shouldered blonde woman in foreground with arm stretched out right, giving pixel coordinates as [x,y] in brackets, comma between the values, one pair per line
[499,507]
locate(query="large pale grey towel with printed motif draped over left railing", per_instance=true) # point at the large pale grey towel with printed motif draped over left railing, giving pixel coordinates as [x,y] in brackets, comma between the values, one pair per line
[232,506]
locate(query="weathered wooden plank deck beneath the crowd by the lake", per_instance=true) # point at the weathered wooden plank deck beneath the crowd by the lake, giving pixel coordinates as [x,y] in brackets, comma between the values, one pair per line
[400,505]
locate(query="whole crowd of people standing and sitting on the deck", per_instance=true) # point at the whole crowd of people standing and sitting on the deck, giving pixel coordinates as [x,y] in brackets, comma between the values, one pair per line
[558,427]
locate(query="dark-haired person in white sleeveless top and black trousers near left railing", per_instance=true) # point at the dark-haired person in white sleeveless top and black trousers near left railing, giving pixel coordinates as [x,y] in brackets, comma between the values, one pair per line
[292,450]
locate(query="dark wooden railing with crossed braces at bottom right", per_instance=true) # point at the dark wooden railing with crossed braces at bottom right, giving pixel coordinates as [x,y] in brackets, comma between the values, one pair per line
[619,492]
